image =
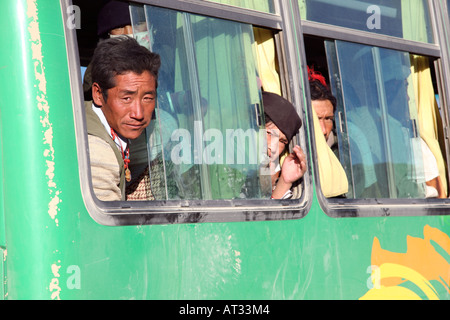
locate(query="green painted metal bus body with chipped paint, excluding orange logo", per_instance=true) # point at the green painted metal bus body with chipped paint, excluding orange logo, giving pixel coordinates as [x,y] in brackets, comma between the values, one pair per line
[55,250]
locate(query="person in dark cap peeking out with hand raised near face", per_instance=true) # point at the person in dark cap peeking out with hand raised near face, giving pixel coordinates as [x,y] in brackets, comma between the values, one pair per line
[282,123]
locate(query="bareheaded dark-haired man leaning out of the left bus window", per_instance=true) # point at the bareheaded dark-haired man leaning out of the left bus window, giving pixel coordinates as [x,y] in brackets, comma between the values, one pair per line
[124,76]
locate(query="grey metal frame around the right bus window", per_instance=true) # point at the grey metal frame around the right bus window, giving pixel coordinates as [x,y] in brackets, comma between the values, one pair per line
[342,207]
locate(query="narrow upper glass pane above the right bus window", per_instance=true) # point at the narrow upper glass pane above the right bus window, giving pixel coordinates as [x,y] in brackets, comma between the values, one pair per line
[408,19]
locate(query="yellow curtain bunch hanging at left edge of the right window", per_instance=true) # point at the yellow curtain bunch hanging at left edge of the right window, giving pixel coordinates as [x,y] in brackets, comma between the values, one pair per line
[333,179]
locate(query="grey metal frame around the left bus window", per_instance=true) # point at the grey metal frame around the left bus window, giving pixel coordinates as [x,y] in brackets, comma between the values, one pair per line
[196,211]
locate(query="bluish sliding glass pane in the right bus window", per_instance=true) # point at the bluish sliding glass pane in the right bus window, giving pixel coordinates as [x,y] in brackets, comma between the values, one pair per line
[380,144]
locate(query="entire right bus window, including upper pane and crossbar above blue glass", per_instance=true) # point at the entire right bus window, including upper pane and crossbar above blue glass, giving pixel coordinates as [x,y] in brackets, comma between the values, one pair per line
[390,115]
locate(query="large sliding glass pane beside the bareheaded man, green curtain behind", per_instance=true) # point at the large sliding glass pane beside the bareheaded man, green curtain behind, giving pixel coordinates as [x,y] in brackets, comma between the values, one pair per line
[204,141]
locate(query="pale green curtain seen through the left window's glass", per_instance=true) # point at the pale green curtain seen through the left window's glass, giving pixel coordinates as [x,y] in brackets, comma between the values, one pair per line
[227,79]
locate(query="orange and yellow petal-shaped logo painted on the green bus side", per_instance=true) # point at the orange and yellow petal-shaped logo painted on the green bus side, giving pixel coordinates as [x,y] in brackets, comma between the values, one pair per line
[423,262]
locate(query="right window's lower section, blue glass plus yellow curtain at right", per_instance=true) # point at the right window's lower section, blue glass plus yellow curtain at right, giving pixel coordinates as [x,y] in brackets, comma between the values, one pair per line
[386,129]
